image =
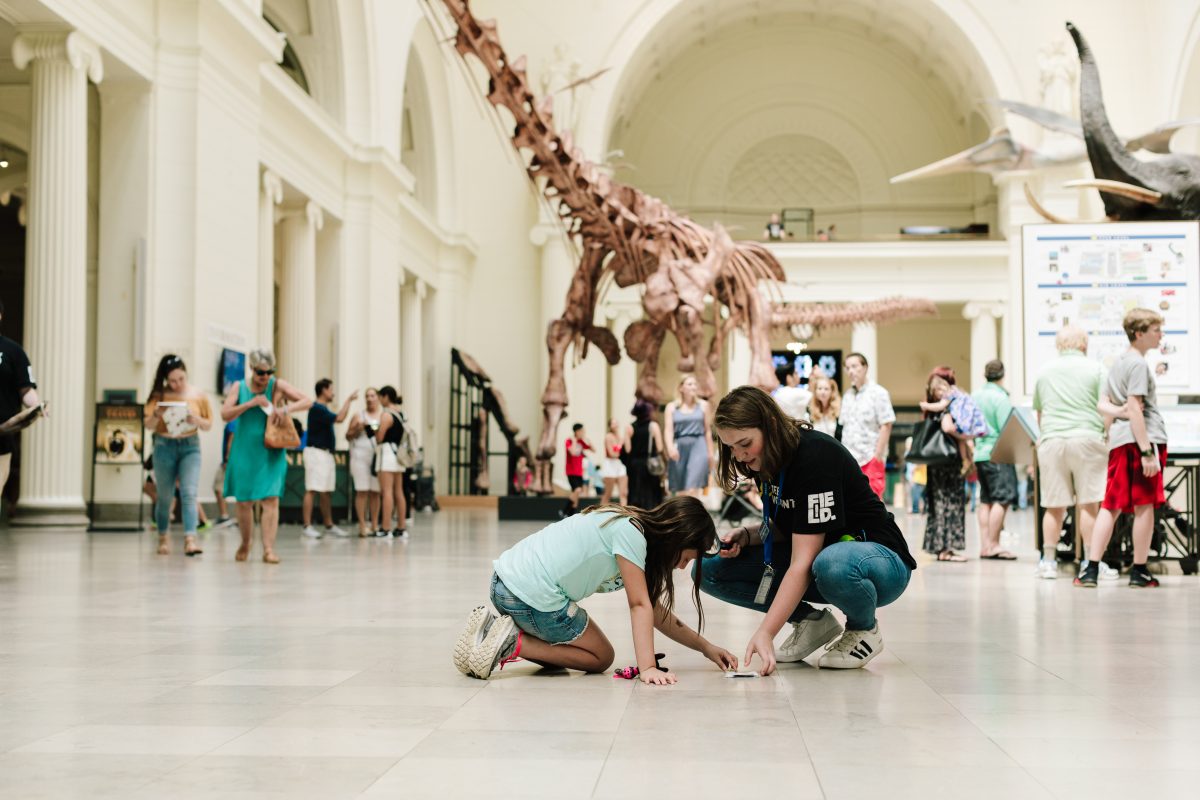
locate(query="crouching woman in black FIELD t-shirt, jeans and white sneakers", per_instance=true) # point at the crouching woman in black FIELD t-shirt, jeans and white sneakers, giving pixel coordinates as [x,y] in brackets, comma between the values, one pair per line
[826,538]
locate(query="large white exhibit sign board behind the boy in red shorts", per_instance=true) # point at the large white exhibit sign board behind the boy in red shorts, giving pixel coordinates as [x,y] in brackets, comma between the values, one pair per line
[1091,275]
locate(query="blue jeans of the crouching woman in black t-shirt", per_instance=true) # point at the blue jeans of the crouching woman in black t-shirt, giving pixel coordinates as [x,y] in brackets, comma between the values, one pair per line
[857,578]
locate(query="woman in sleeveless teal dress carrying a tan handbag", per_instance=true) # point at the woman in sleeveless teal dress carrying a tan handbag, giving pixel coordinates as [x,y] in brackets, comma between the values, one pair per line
[256,473]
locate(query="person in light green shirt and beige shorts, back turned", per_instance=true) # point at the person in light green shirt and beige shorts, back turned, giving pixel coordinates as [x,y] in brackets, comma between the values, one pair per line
[1072,454]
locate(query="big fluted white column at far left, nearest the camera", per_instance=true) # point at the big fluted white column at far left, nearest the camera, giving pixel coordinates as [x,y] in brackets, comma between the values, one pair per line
[52,474]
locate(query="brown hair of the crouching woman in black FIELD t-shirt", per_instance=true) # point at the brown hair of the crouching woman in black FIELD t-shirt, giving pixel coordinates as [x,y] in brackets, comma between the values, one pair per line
[749,407]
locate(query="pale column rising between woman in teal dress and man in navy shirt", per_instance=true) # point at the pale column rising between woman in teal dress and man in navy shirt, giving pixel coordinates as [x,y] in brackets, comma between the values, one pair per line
[298,297]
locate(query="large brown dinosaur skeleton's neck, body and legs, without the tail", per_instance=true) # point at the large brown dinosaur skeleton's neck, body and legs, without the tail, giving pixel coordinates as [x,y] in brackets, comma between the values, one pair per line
[633,238]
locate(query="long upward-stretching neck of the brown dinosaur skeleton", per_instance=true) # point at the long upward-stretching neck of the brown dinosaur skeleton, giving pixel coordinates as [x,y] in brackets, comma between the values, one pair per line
[577,184]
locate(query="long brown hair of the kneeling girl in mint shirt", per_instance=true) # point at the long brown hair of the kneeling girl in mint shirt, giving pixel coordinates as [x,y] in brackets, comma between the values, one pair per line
[670,528]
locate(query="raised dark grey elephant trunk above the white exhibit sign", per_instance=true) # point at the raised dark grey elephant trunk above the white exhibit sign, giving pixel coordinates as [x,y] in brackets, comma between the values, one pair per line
[1109,158]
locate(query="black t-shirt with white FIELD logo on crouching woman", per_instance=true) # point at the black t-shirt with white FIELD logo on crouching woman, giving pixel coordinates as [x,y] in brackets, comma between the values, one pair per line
[825,492]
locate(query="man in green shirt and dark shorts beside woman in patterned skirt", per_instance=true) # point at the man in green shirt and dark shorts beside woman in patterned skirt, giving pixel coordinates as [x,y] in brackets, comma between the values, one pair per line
[998,483]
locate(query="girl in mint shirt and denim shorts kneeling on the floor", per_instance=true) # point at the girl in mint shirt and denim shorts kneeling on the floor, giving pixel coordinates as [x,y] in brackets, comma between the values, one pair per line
[539,582]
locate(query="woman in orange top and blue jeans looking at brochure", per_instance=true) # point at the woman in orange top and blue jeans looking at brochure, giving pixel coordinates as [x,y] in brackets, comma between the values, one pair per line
[177,412]
